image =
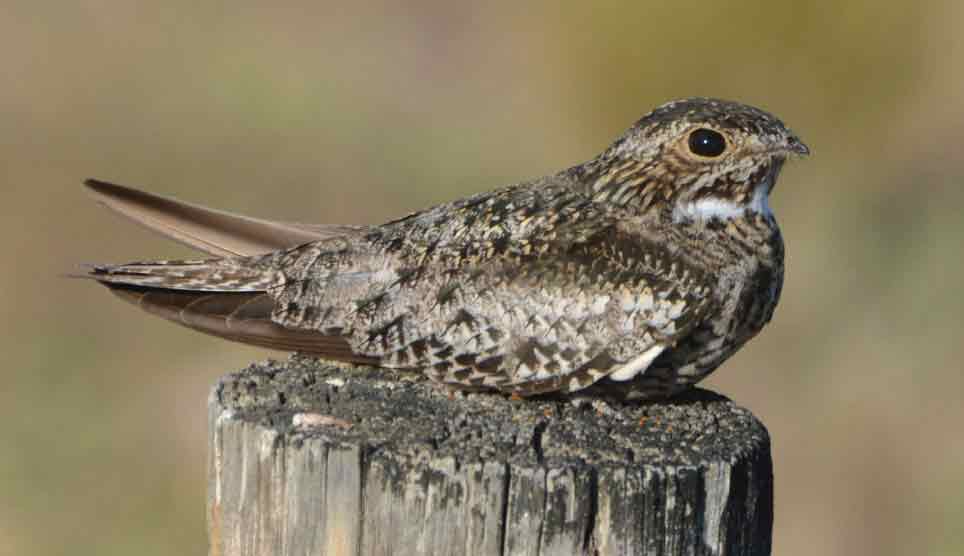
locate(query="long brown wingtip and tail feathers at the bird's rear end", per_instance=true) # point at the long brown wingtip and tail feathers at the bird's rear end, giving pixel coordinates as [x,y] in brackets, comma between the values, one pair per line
[225,297]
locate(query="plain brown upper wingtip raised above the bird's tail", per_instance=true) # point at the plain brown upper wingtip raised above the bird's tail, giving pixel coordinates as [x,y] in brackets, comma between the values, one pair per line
[212,231]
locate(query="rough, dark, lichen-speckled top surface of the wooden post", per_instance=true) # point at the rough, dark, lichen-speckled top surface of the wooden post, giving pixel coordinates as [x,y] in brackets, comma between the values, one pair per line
[412,417]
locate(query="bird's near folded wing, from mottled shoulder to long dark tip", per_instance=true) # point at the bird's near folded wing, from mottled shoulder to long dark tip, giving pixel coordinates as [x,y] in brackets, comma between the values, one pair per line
[524,295]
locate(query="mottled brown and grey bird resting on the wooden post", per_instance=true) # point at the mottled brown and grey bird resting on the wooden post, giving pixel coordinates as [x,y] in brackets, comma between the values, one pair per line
[633,275]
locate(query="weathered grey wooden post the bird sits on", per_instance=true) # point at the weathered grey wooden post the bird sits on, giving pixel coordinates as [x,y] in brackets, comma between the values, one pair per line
[311,458]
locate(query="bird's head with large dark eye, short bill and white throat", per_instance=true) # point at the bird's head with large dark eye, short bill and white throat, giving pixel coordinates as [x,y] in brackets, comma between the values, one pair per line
[701,158]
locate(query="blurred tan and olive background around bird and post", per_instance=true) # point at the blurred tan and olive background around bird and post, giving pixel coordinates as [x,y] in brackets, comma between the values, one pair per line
[340,112]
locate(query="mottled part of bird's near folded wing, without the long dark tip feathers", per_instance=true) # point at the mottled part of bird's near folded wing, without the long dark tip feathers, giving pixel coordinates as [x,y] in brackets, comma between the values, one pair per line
[545,302]
